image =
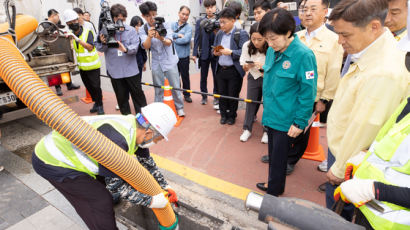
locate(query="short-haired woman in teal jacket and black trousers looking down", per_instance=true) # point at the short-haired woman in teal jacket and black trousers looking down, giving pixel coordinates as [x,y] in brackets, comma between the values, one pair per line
[289,91]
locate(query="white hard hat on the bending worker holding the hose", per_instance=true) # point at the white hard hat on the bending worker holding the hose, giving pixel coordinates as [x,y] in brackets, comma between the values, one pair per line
[161,117]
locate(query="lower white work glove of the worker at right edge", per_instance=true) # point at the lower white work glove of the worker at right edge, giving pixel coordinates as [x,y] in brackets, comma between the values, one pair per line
[355,191]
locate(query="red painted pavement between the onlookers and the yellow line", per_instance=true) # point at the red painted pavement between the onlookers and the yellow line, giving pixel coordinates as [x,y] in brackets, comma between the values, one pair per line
[201,143]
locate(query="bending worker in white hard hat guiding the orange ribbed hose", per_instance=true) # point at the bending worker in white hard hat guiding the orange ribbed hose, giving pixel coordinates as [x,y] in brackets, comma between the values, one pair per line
[80,178]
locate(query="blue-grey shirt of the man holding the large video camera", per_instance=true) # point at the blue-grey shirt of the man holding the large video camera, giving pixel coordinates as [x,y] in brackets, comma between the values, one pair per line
[119,64]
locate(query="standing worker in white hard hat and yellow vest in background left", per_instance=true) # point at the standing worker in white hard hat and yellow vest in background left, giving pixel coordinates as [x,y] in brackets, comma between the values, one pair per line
[87,58]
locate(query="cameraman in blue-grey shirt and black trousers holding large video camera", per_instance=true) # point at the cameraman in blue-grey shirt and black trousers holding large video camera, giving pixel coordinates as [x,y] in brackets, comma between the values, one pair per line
[121,62]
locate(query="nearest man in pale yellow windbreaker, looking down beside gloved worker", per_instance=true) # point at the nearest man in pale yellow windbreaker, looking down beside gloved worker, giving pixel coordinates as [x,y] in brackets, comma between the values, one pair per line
[374,85]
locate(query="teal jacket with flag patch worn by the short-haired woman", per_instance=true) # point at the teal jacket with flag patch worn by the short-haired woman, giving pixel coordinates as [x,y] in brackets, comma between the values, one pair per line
[289,86]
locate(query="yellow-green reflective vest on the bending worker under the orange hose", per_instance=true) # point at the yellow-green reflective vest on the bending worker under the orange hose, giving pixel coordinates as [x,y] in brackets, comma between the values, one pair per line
[56,150]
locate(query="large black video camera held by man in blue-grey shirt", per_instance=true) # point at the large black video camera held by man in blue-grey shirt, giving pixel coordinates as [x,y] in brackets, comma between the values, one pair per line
[107,25]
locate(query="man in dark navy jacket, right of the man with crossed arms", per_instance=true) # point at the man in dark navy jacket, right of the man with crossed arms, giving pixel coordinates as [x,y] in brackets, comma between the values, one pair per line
[203,41]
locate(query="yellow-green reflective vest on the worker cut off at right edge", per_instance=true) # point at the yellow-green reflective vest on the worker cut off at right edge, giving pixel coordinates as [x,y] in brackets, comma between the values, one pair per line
[388,161]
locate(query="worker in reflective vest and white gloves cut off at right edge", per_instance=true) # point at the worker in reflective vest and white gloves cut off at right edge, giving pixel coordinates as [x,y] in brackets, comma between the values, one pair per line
[383,177]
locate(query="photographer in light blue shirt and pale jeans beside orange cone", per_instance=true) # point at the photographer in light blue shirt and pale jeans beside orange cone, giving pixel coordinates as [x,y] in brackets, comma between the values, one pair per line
[156,36]
